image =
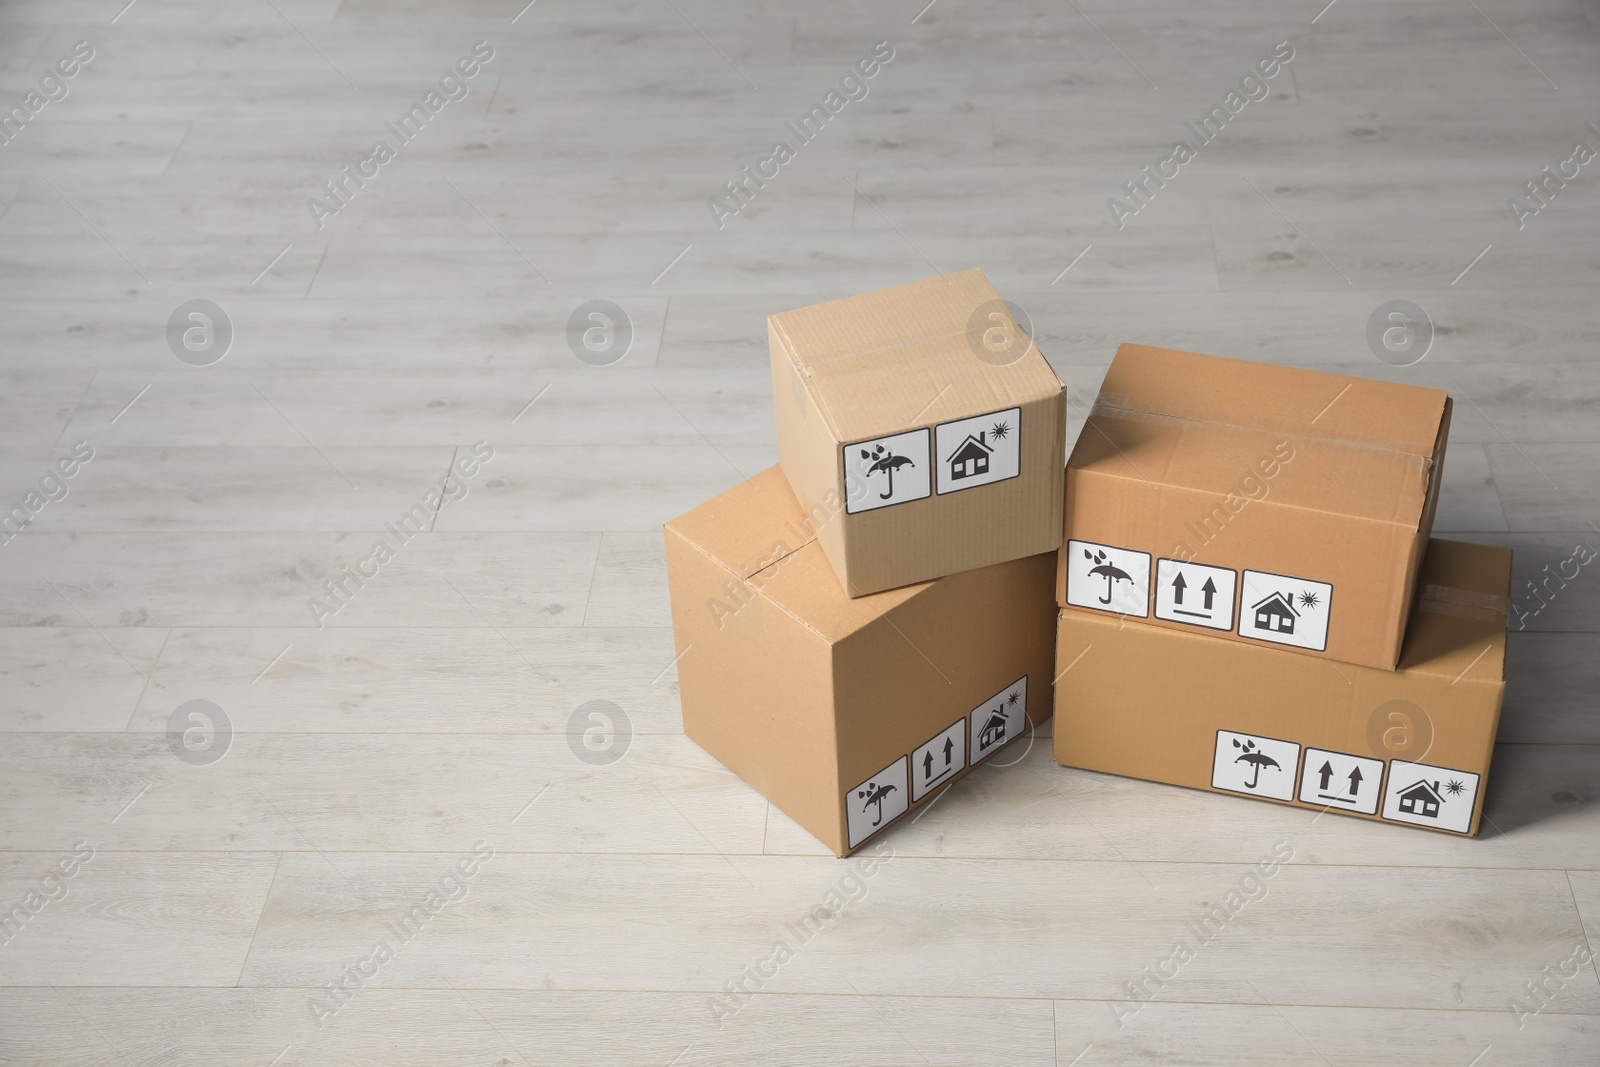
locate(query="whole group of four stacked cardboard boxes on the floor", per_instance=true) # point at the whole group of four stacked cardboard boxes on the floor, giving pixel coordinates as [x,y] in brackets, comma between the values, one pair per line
[1247,597]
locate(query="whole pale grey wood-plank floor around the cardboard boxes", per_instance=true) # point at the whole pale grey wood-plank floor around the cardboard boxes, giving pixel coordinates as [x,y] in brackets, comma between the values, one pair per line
[438,709]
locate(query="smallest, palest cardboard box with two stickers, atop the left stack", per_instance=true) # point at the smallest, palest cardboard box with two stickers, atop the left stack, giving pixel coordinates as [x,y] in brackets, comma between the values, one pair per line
[926,425]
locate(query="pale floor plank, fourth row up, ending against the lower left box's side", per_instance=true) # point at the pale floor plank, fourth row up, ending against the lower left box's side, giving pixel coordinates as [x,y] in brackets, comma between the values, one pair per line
[386,681]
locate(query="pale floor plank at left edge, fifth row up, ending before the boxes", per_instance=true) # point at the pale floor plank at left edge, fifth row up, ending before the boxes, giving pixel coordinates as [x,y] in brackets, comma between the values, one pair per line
[268,580]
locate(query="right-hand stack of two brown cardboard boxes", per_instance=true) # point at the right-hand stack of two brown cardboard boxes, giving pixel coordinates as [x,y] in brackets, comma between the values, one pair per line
[1234,524]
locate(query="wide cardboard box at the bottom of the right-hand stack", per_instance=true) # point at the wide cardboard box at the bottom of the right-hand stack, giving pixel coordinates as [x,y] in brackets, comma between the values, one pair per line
[1406,746]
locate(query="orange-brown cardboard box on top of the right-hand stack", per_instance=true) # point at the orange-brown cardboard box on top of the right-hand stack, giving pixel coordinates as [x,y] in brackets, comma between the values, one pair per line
[1254,503]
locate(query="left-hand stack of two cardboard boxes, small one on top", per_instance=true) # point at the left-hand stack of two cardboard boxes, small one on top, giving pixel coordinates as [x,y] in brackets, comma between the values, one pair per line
[866,623]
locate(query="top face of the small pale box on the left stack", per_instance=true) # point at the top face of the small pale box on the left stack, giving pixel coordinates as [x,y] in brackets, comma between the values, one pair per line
[910,356]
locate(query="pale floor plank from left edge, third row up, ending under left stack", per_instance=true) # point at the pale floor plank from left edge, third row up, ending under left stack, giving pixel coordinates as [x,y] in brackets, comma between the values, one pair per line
[382,793]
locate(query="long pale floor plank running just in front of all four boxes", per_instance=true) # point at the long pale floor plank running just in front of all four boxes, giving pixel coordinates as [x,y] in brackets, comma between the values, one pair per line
[1417,938]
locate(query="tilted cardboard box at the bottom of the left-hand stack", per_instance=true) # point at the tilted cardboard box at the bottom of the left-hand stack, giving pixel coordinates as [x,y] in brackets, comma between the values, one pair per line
[849,714]
